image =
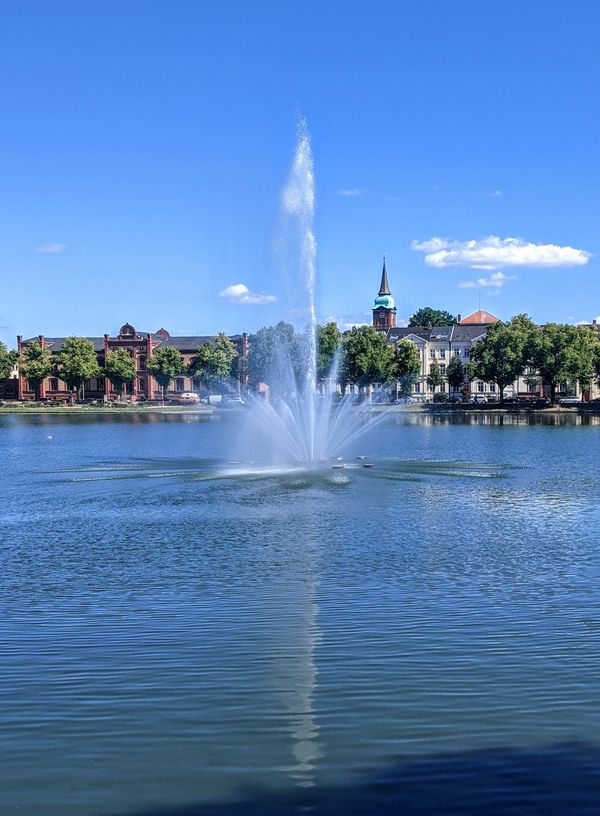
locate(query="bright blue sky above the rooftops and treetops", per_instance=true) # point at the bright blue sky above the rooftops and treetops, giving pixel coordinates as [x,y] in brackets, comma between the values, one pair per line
[144,147]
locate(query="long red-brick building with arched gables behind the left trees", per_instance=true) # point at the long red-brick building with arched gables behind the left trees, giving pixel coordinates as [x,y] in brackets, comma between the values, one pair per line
[141,346]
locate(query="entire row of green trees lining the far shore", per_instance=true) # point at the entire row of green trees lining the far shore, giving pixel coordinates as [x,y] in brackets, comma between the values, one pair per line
[281,357]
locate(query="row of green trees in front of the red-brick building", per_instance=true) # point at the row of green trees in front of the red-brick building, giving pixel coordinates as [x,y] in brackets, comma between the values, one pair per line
[77,361]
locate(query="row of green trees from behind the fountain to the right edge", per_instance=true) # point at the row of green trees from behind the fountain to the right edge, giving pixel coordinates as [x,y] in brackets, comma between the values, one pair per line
[555,354]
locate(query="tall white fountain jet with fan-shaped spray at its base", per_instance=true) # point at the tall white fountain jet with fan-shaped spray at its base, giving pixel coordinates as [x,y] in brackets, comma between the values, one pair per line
[303,421]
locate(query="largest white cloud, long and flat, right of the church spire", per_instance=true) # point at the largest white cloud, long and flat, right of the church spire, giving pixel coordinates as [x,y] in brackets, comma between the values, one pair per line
[495,253]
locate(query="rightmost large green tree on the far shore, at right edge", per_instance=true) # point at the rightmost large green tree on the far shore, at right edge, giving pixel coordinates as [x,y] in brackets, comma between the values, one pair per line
[564,353]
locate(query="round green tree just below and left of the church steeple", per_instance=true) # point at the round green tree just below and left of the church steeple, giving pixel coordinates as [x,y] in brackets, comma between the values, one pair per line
[366,358]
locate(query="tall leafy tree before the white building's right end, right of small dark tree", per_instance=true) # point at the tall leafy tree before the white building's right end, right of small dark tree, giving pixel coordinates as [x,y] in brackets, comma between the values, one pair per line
[503,353]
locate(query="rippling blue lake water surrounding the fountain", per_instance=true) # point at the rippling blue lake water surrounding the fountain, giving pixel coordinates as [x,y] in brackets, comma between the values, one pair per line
[182,633]
